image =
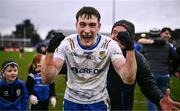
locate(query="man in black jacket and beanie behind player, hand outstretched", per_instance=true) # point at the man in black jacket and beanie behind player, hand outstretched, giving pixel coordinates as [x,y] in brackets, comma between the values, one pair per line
[121,94]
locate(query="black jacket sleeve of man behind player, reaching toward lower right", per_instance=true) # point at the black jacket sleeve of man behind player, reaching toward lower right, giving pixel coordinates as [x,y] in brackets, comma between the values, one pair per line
[145,80]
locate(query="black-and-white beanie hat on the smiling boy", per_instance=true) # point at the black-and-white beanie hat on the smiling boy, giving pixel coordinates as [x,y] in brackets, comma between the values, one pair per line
[6,63]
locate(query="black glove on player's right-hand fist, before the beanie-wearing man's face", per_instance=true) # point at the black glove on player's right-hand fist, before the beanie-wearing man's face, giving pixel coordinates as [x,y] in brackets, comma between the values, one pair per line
[126,40]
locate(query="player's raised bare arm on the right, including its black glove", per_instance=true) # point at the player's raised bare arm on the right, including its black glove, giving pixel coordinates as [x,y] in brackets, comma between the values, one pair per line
[126,68]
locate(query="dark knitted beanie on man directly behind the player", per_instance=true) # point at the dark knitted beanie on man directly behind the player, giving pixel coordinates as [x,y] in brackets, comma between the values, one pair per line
[126,24]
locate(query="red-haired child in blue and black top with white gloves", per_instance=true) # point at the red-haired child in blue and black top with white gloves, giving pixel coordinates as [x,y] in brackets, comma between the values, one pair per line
[39,93]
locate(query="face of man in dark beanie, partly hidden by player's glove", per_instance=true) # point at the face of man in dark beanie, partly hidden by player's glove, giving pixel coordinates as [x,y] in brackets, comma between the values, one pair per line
[115,31]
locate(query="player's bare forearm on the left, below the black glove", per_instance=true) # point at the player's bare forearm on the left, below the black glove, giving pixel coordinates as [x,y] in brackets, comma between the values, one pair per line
[49,69]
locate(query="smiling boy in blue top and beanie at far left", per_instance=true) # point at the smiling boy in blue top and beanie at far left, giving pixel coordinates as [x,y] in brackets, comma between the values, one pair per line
[13,92]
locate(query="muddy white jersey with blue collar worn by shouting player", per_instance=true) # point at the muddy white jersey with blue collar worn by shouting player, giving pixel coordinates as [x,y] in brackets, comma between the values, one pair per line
[87,67]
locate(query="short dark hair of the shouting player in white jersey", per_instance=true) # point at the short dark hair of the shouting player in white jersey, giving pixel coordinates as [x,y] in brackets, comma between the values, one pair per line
[88,12]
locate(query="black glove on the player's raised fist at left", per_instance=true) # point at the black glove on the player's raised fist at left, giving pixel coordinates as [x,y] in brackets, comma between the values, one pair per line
[55,41]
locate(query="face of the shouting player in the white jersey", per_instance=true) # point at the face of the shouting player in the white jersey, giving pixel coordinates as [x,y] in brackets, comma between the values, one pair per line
[87,29]
